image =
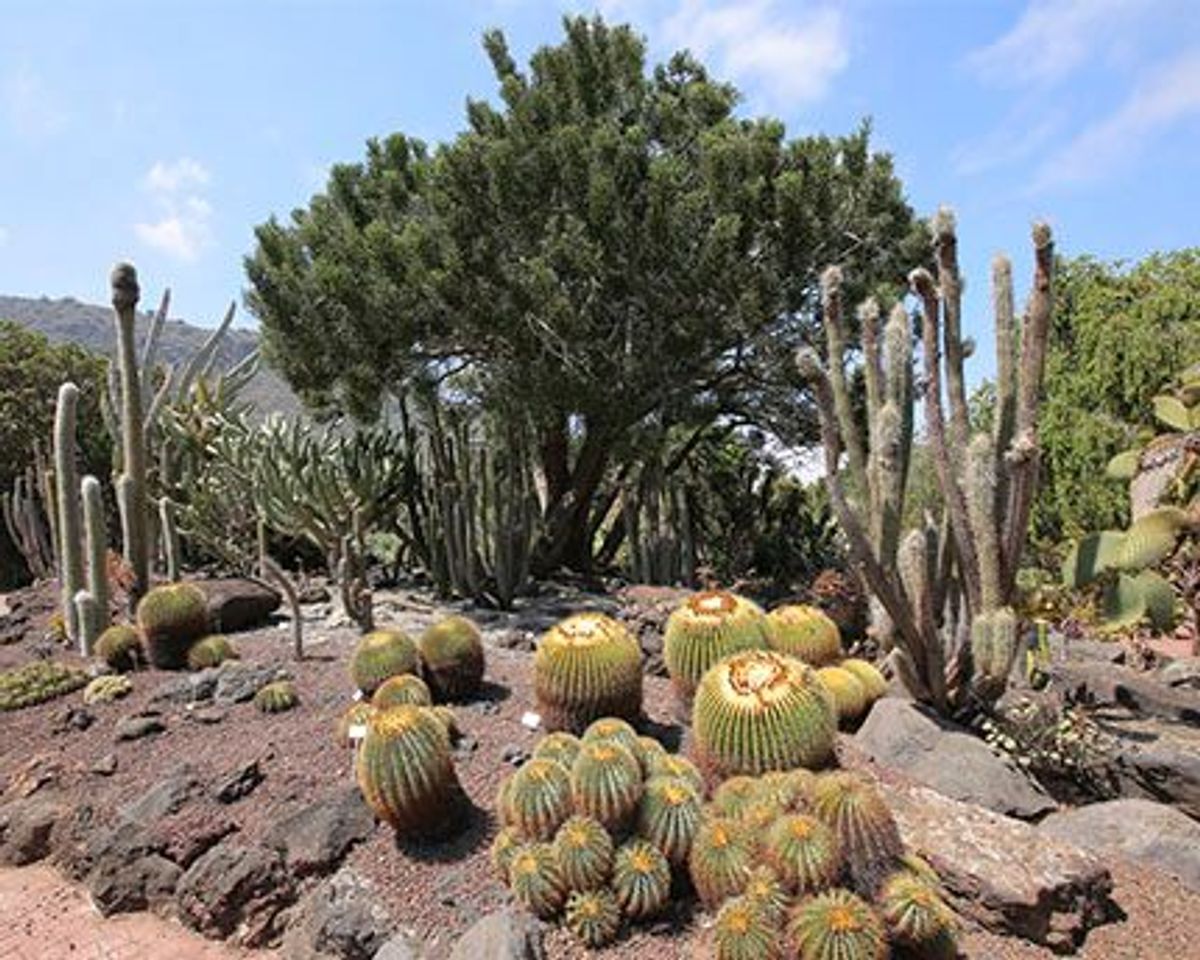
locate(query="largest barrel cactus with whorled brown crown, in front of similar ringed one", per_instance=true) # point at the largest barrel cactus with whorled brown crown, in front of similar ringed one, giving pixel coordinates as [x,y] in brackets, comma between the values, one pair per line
[761,711]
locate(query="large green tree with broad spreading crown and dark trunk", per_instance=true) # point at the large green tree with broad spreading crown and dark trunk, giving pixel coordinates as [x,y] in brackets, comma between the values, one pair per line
[605,254]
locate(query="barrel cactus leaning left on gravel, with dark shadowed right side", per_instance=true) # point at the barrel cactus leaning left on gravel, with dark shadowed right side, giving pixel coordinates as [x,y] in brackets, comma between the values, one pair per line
[406,772]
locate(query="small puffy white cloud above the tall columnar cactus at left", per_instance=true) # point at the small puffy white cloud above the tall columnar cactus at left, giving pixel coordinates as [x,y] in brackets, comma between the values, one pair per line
[183,227]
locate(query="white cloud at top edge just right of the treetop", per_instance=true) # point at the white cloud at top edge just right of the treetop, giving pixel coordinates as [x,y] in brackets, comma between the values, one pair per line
[791,59]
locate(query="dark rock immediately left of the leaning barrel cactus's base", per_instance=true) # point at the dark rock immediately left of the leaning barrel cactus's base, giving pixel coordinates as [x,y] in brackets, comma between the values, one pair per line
[315,839]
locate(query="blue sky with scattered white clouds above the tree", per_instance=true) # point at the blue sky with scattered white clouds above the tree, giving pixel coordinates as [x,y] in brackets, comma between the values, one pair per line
[165,131]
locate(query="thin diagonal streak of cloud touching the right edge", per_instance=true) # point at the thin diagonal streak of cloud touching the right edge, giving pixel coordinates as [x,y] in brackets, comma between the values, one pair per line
[1162,99]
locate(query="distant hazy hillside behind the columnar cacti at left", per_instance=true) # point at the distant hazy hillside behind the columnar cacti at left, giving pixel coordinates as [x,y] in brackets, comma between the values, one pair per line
[92,327]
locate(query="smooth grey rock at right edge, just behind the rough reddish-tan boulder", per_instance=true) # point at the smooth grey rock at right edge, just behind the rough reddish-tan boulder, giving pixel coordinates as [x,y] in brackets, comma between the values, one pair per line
[1151,833]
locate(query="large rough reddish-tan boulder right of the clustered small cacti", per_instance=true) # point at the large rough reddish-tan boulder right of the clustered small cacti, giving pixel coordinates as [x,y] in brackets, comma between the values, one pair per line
[1003,873]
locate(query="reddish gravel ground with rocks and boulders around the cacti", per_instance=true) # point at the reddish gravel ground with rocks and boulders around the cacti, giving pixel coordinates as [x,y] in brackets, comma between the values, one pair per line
[184,800]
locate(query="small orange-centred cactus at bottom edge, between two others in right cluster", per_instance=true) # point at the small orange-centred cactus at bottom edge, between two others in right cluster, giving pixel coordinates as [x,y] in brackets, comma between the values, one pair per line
[837,926]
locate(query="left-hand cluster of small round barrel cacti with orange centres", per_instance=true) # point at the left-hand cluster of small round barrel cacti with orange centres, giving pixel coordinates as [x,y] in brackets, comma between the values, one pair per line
[597,829]
